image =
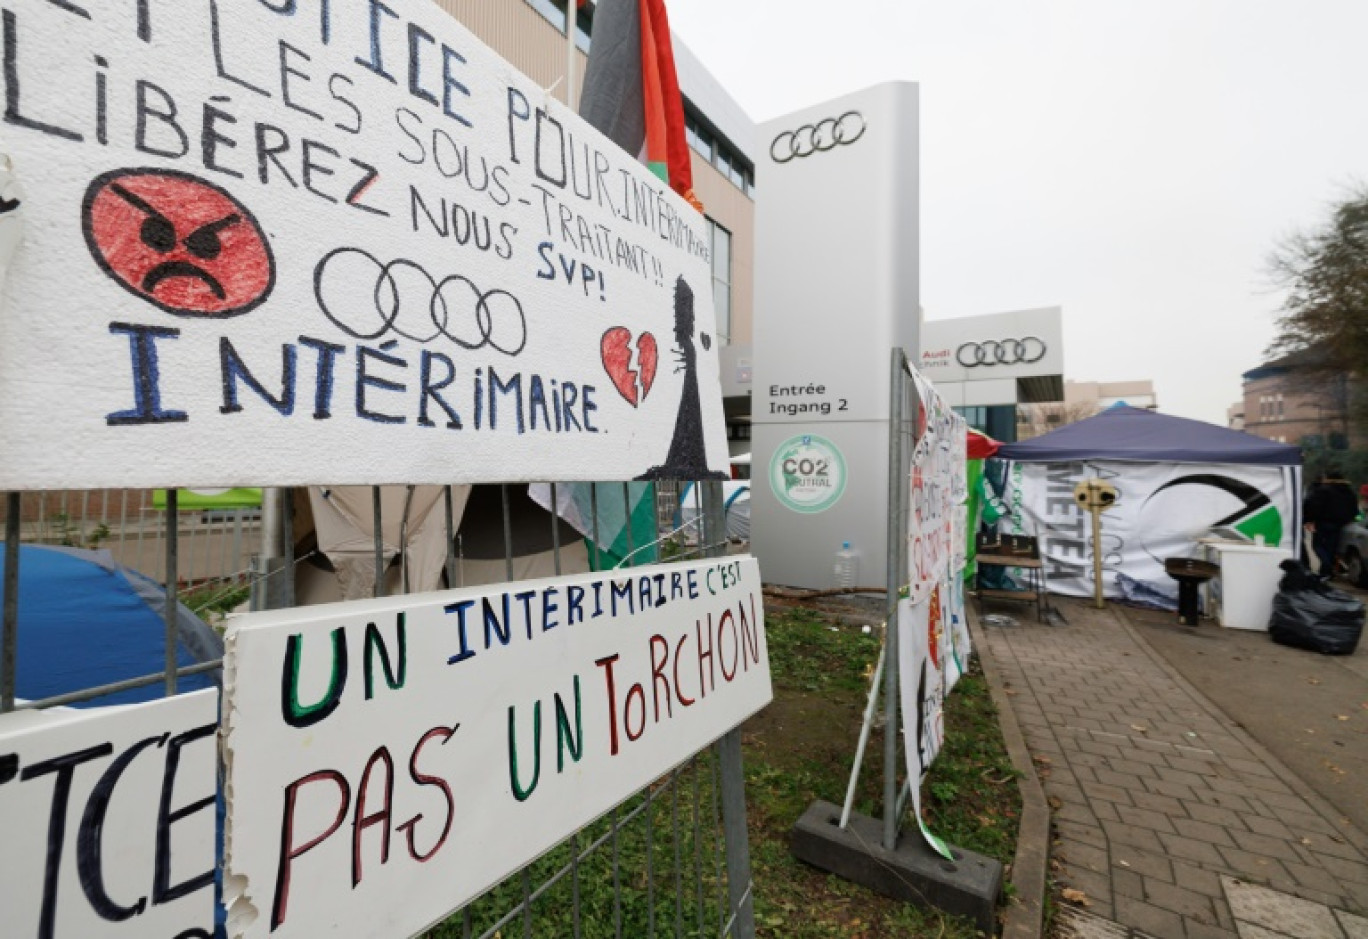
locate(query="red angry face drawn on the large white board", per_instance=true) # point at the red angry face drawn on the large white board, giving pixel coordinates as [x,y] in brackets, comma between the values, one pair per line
[179,242]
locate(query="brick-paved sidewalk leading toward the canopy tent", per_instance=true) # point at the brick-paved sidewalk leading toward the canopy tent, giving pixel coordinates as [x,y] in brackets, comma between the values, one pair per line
[1169,818]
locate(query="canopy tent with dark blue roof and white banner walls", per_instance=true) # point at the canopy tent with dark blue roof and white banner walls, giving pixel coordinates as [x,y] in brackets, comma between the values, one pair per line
[1179,481]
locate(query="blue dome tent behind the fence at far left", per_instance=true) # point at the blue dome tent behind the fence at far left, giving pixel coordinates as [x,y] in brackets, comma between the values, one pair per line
[87,621]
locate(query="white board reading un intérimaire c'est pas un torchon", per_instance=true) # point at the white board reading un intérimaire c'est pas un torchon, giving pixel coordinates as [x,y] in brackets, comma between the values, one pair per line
[392,759]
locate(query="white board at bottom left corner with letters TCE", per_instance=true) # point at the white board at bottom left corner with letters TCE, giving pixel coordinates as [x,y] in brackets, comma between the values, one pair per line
[109,821]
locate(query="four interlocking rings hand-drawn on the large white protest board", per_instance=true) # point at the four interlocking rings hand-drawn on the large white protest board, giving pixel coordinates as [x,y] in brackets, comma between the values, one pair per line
[399,291]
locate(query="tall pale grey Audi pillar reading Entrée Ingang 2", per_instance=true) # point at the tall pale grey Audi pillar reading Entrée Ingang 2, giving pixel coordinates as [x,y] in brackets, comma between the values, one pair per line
[837,290]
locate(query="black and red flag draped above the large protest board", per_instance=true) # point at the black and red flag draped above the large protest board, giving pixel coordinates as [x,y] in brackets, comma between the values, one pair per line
[631,92]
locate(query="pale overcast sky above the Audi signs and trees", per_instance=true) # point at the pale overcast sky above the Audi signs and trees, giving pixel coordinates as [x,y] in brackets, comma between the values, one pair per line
[1131,162]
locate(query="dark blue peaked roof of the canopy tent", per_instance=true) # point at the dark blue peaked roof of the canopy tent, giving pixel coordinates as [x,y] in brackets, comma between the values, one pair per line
[1124,433]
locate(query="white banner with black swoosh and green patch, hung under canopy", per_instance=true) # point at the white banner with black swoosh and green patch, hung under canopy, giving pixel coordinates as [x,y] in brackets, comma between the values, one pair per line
[1162,511]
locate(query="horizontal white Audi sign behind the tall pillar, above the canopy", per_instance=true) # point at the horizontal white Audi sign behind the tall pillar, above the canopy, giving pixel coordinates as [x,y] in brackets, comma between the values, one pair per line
[1024,344]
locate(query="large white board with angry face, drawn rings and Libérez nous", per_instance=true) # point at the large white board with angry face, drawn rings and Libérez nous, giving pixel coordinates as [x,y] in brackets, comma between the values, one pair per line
[287,243]
